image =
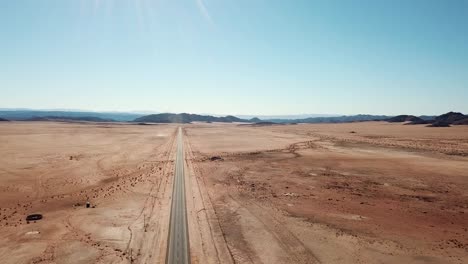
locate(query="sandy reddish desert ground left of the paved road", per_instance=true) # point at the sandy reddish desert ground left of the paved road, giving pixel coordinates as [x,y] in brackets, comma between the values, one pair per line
[125,171]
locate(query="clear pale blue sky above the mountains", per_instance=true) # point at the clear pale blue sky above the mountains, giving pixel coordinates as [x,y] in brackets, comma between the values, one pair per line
[265,57]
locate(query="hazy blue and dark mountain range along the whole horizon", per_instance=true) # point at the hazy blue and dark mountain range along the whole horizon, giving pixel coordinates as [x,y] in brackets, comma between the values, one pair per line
[451,118]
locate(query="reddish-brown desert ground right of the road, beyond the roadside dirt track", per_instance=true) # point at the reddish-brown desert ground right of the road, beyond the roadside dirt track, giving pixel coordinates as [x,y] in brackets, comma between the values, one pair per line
[369,192]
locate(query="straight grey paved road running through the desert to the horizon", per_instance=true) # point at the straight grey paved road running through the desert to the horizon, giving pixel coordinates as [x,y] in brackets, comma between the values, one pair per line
[178,243]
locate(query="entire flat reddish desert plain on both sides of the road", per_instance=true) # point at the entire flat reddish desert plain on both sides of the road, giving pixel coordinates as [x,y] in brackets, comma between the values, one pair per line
[371,192]
